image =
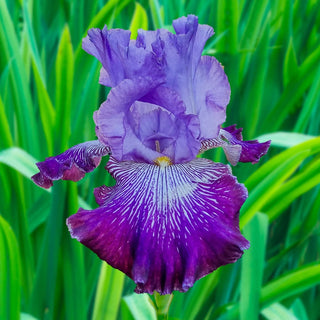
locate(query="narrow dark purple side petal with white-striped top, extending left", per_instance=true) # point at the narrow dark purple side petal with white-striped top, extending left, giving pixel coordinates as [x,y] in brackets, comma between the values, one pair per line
[72,164]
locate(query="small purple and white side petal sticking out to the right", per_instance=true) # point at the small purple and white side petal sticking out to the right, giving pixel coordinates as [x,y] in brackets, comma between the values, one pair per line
[230,139]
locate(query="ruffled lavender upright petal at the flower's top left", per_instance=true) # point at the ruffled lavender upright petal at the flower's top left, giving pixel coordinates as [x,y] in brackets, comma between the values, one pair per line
[121,57]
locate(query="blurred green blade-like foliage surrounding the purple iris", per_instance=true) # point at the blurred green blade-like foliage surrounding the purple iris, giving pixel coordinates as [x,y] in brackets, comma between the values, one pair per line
[48,92]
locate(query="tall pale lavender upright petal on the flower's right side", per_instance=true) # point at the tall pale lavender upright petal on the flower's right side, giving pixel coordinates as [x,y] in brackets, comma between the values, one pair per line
[200,81]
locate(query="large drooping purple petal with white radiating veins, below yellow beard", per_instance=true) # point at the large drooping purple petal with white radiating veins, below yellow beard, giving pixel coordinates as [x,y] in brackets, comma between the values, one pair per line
[165,226]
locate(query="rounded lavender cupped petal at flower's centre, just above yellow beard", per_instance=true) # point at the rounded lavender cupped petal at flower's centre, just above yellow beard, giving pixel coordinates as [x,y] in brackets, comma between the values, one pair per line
[143,131]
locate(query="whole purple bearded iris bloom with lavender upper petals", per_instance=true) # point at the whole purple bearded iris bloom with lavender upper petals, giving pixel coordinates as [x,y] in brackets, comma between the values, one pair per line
[171,218]
